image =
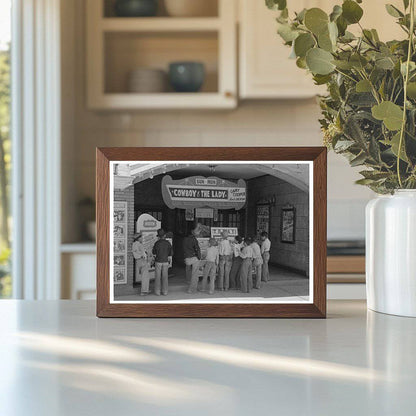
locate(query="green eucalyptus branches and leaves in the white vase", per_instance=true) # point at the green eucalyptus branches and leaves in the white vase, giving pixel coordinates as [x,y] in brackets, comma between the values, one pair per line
[369,112]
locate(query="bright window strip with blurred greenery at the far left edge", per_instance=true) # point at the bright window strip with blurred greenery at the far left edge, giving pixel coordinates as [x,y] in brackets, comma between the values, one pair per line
[5,159]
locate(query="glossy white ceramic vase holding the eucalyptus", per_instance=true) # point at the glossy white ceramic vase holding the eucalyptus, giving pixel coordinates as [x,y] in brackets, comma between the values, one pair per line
[391,253]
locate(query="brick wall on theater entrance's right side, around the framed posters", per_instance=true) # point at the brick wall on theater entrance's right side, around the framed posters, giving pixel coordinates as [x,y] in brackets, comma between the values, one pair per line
[294,256]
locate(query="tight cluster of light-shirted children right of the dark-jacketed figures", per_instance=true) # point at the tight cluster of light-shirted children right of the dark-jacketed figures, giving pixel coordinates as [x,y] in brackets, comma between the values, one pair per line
[235,262]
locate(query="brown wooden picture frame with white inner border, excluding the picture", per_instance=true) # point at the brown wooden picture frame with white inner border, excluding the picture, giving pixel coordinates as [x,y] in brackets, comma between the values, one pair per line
[316,157]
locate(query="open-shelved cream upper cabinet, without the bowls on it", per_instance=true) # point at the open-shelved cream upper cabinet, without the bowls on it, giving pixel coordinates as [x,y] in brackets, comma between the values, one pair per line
[118,45]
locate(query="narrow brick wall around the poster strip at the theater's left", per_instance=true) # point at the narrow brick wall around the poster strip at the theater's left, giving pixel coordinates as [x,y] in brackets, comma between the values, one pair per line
[127,195]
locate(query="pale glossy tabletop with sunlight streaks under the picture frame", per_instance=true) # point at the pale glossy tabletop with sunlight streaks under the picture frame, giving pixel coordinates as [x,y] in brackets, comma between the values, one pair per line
[57,358]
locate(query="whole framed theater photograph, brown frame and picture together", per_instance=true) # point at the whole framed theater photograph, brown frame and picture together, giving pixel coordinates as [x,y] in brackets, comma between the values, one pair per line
[231,257]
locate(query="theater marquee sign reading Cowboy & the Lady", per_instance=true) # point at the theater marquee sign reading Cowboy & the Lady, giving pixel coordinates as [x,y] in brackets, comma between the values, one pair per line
[198,192]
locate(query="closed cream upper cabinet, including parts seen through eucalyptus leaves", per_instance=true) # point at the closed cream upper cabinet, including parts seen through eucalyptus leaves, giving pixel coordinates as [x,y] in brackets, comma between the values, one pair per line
[265,70]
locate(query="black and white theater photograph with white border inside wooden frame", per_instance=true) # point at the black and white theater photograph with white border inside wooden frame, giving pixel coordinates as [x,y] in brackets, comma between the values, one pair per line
[226,232]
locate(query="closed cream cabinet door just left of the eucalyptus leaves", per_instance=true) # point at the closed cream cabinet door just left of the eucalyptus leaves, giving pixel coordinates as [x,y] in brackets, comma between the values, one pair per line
[265,68]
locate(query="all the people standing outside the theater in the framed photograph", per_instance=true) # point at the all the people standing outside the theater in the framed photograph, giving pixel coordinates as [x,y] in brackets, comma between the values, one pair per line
[228,264]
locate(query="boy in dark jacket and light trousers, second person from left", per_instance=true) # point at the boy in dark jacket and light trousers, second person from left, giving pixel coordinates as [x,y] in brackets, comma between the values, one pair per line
[163,252]
